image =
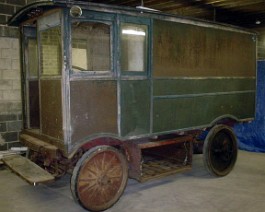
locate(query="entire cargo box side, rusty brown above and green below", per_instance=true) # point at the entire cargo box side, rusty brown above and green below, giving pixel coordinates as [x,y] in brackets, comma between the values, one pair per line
[201,74]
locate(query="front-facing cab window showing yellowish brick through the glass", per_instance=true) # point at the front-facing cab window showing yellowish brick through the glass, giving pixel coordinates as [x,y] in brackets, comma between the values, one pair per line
[50,51]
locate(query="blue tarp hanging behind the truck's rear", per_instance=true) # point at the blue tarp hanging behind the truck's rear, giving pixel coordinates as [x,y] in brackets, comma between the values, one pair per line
[251,136]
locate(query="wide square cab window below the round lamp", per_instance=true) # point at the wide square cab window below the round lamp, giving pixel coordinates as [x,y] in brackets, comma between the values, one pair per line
[91,47]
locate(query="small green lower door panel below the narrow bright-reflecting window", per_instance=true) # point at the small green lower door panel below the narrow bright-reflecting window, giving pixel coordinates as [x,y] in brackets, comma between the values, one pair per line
[135,107]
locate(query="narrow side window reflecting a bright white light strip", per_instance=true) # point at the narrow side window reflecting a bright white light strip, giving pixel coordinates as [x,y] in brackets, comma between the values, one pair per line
[134,39]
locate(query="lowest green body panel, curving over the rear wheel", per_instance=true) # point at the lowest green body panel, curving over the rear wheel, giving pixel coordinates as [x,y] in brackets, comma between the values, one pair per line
[187,112]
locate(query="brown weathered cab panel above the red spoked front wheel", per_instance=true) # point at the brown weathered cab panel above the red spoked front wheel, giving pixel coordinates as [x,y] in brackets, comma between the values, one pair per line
[93,108]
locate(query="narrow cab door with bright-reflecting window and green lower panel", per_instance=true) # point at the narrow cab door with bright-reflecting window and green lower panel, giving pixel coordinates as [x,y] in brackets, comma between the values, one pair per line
[134,76]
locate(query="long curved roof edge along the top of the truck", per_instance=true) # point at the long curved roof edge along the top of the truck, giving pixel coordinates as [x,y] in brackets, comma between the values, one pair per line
[24,13]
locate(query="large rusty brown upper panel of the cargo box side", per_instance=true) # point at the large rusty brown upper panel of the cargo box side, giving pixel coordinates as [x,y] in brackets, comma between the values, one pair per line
[184,50]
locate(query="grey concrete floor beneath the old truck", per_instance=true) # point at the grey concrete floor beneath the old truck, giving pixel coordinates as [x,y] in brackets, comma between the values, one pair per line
[242,190]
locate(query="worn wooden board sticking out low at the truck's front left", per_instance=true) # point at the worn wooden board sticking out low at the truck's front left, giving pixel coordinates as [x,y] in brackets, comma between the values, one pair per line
[27,170]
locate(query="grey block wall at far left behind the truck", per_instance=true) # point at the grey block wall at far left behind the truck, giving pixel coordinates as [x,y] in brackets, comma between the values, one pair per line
[10,92]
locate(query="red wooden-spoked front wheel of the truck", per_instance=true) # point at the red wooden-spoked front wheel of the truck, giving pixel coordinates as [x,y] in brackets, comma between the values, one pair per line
[99,178]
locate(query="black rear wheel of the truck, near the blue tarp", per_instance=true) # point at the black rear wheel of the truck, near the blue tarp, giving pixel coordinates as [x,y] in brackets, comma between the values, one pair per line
[220,150]
